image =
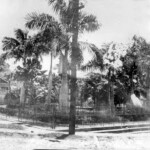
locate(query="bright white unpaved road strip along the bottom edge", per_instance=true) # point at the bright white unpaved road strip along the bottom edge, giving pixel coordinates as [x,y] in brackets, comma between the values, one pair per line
[78,143]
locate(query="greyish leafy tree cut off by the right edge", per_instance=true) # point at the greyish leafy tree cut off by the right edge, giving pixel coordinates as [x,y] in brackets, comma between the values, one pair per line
[142,51]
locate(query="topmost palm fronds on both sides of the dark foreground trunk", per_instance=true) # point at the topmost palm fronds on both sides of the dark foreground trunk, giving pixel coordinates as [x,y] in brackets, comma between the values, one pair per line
[66,12]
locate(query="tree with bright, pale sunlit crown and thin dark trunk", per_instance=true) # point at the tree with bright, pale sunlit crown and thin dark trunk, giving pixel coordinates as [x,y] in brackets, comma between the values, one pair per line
[108,61]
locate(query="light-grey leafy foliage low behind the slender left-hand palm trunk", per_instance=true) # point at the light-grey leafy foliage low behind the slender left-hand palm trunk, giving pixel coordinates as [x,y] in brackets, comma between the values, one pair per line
[38,90]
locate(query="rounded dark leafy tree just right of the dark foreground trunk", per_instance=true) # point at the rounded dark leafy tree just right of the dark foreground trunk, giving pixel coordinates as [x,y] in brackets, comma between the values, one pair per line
[95,86]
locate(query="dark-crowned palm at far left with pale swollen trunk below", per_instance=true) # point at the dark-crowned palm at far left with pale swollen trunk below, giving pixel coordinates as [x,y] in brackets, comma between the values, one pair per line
[22,48]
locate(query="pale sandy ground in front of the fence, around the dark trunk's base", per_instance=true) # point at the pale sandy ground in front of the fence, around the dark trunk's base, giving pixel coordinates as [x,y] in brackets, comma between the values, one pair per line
[20,136]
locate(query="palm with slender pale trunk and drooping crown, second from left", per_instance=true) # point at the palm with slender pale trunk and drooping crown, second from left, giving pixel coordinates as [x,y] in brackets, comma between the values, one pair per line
[49,31]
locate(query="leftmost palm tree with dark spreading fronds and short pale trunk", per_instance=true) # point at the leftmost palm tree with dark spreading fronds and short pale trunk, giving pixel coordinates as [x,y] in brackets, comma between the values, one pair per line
[18,48]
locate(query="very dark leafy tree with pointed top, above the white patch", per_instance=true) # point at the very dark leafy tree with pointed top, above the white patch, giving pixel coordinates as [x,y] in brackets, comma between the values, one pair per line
[128,76]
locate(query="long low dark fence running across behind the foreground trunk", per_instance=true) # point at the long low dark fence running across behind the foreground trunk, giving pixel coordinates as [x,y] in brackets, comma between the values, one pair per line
[52,115]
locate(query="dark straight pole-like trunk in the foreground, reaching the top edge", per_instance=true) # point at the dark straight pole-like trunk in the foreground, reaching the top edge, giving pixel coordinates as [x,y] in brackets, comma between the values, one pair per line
[73,93]
